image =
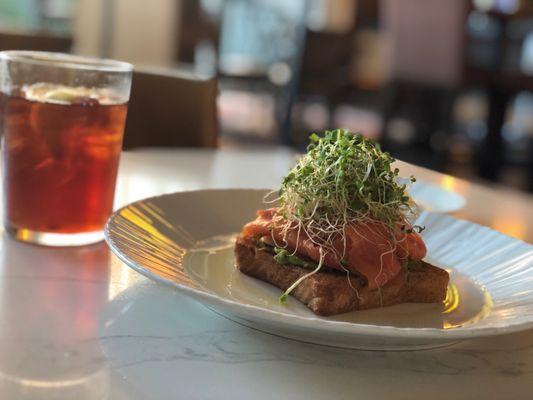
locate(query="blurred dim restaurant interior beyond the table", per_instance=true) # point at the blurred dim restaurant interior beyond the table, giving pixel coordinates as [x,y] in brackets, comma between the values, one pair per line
[443,84]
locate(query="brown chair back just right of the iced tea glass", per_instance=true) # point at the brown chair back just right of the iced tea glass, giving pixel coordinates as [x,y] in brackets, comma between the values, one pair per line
[171,108]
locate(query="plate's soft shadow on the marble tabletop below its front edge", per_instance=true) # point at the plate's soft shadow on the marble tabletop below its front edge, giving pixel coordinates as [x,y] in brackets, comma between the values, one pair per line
[234,344]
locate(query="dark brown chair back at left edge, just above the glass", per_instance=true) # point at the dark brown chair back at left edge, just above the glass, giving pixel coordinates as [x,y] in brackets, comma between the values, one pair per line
[34,41]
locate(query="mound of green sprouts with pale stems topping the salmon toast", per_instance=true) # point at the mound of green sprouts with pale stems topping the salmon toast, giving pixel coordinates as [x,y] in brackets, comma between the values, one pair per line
[344,179]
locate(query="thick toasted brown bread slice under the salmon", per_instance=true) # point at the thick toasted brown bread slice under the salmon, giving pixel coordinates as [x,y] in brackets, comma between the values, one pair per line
[331,292]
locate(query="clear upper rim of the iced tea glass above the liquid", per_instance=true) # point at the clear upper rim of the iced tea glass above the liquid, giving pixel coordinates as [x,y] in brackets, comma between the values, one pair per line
[65,60]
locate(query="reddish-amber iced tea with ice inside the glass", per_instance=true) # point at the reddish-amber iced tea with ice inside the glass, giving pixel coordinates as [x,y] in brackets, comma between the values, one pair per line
[61,150]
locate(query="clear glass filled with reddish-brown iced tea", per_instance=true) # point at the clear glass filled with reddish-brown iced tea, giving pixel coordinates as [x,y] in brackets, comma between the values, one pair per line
[62,118]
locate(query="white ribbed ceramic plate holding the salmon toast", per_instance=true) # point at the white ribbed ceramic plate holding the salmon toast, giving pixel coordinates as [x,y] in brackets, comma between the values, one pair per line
[185,240]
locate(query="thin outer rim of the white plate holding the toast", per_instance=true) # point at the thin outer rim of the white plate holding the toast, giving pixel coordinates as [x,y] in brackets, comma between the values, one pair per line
[315,323]
